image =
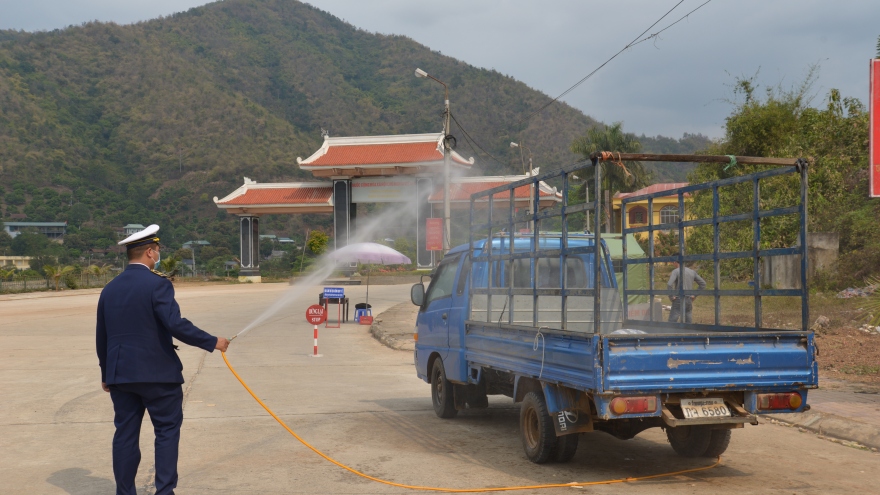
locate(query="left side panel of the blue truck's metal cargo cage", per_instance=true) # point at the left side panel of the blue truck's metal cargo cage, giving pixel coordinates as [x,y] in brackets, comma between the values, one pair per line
[542,301]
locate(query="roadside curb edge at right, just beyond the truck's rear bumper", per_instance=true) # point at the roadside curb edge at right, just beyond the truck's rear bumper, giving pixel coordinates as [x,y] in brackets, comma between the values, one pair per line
[832,426]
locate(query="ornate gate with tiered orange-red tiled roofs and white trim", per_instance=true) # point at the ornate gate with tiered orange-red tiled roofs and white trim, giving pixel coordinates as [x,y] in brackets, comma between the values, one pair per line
[405,169]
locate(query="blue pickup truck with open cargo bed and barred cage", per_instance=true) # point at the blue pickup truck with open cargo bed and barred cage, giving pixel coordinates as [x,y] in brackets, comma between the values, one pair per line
[514,314]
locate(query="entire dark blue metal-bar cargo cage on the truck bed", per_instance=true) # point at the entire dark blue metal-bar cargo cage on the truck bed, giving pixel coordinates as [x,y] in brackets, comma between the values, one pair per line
[560,305]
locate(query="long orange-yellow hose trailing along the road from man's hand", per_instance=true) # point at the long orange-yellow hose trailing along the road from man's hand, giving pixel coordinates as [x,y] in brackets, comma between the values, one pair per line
[453,490]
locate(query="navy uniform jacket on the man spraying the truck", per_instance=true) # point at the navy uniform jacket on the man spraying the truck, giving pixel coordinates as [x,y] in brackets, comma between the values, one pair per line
[137,316]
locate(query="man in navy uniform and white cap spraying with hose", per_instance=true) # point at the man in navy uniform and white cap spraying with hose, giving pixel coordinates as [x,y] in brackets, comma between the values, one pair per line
[137,317]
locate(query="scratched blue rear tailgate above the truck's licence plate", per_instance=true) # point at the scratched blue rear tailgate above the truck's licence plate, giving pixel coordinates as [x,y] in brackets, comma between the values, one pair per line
[731,361]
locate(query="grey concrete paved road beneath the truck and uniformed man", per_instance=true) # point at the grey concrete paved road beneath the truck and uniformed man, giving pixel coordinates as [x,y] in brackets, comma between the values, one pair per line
[360,403]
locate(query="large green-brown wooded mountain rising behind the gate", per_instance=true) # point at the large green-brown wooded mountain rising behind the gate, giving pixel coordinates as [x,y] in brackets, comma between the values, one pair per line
[104,125]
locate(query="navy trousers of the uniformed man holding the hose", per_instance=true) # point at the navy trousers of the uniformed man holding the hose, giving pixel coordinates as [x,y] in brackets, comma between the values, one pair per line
[164,401]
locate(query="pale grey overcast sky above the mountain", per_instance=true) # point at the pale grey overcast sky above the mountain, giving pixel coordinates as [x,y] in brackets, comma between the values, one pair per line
[676,83]
